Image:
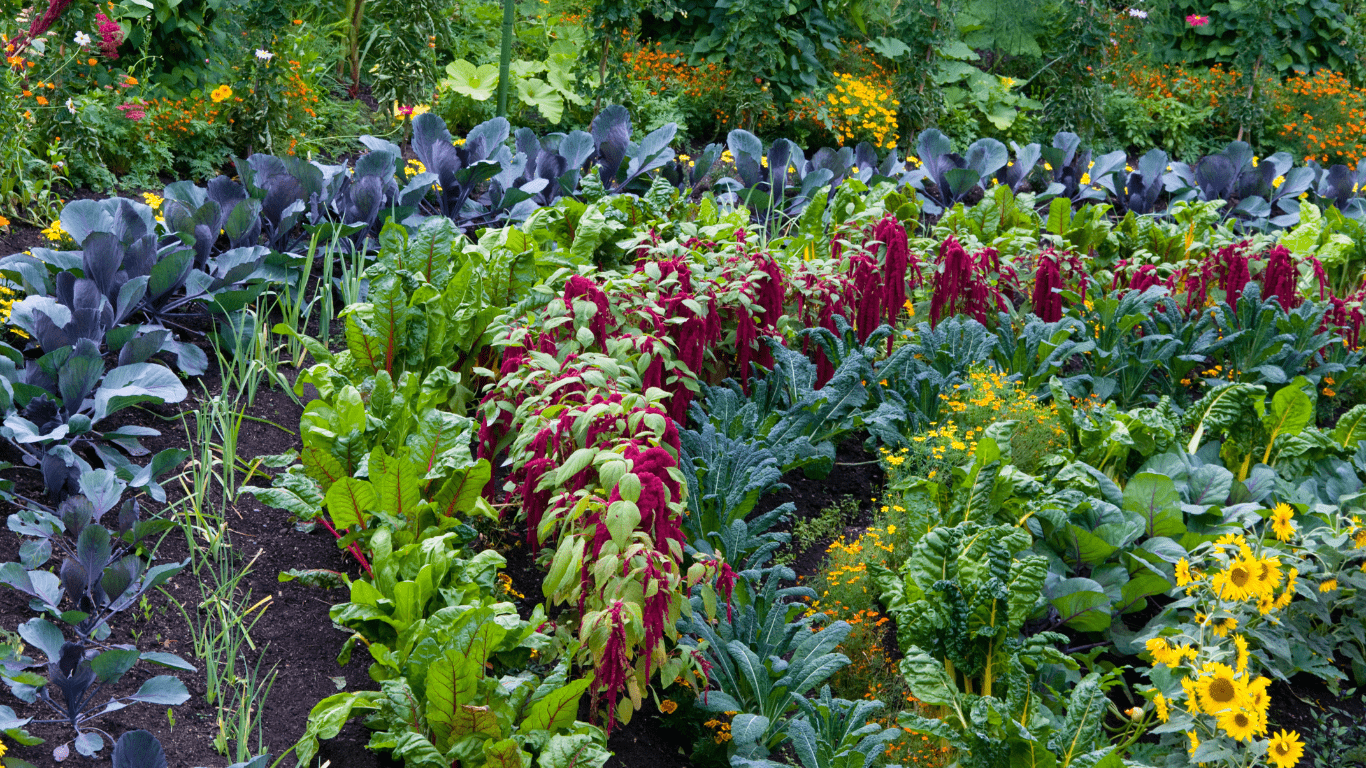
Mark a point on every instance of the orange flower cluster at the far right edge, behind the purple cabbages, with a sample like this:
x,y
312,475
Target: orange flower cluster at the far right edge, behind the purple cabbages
x,y
1322,117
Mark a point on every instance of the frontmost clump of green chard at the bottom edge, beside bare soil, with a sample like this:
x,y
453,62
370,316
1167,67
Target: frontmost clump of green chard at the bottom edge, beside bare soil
x,y
438,635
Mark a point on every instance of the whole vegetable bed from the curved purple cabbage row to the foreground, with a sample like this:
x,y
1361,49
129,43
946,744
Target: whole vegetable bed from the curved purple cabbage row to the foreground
x,y
510,448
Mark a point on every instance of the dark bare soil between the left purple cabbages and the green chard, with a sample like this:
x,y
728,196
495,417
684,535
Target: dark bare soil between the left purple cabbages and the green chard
x,y
296,636
